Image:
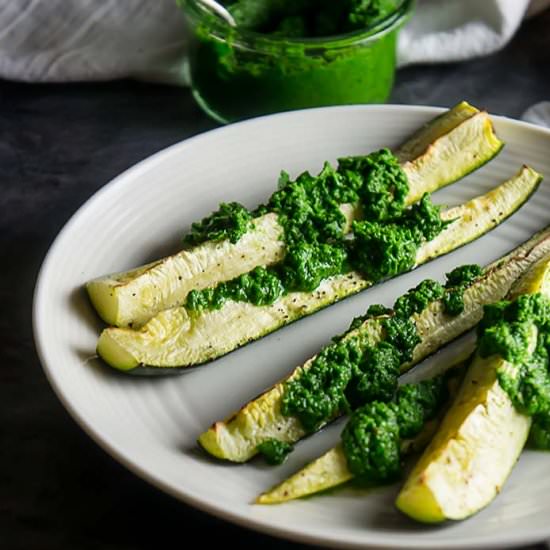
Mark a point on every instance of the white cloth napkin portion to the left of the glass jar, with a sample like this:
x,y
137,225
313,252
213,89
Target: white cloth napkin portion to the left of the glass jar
x,y
68,40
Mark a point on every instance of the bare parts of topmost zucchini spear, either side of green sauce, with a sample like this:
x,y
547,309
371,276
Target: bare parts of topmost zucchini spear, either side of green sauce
x,y
447,149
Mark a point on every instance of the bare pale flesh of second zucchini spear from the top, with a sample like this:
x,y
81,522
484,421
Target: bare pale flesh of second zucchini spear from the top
x,y
176,338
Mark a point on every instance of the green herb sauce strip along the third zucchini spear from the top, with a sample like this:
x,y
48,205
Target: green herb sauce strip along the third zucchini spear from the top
x,y
350,372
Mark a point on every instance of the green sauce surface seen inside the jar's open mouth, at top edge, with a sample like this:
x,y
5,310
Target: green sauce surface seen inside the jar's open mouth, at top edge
x,y
308,18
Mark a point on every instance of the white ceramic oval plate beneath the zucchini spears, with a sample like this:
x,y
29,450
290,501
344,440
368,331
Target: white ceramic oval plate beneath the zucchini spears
x,y
151,424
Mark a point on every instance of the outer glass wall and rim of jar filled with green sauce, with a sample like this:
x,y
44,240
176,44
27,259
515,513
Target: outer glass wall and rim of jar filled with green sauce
x,y
237,74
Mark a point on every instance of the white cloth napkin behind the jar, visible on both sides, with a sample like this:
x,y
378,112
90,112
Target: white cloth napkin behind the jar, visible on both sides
x,y
67,40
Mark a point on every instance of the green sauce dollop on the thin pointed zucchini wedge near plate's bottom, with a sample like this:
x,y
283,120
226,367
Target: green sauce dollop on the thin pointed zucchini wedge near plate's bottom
x,y
372,437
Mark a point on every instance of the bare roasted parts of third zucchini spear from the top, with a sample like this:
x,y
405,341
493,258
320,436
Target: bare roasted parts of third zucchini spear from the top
x,y
236,438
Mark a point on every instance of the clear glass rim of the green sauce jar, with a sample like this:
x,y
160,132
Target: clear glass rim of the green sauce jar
x,y
197,11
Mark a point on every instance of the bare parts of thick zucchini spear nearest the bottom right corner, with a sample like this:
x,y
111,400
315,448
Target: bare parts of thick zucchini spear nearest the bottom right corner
x,y
479,441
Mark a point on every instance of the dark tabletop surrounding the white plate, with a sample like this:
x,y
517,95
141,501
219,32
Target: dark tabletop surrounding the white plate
x,y
58,145
